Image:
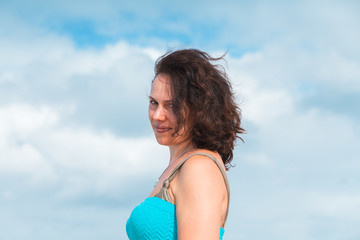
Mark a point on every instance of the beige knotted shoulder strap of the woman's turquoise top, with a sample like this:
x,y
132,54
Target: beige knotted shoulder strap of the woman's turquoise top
x,y
164,194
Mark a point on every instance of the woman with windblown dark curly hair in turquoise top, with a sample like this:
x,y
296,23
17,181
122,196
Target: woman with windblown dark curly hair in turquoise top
x,y
192,111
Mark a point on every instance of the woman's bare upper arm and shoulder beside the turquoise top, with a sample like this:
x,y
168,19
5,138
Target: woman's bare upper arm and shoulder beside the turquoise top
x,y
199,195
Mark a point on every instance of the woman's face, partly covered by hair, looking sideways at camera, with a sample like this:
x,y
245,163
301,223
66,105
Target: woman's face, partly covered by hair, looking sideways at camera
x,y
161,116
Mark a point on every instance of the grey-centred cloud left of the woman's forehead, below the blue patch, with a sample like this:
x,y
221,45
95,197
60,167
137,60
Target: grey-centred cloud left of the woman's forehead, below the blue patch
x,y
93,82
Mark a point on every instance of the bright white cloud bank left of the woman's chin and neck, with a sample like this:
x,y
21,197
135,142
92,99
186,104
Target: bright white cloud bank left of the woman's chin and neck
x,y
35,145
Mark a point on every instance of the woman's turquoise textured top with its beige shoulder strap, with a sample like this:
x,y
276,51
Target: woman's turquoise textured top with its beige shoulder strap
x,y
155,218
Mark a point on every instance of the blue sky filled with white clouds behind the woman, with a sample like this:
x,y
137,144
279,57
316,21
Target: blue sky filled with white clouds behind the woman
x,y
77,153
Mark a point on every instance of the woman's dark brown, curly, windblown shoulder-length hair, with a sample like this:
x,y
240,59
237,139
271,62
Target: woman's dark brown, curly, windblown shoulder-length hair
x,y
203,91
